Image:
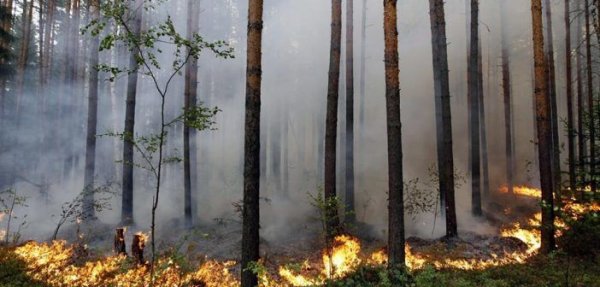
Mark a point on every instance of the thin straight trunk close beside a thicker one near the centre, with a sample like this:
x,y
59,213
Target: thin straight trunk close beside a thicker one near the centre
x,y
349,215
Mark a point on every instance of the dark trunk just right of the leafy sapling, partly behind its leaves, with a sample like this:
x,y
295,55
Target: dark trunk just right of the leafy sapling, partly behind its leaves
x,y
191,95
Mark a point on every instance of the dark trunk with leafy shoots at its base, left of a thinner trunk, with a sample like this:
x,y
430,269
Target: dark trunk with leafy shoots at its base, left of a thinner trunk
x,y
331,118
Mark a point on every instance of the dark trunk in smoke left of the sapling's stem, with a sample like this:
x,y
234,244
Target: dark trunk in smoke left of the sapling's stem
x,y
92,121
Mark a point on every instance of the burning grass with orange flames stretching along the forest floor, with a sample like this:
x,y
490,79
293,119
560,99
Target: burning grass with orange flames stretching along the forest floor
x,y
60,264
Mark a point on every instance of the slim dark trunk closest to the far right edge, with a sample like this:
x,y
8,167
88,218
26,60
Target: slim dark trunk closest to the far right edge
x,y
590,90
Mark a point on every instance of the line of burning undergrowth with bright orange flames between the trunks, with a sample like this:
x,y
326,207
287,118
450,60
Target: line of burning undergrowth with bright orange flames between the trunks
x,y
61,264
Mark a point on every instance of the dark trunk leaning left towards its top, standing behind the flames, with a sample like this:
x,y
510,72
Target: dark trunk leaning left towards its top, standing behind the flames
x,y
443,113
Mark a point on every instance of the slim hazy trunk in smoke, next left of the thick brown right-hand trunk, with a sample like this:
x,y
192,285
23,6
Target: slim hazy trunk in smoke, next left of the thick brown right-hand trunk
x,y
506,88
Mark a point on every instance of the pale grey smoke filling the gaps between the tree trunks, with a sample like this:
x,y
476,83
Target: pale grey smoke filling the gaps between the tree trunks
x,y
48,143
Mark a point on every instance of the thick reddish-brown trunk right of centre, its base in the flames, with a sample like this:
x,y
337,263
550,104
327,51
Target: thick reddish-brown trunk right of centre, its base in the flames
x,y
397,255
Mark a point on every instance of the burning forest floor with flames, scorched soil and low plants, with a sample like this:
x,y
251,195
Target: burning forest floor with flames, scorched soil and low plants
x,y
207,255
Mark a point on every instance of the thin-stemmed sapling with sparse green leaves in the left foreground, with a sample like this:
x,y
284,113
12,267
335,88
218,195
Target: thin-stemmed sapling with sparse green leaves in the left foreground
x,y
147,45
